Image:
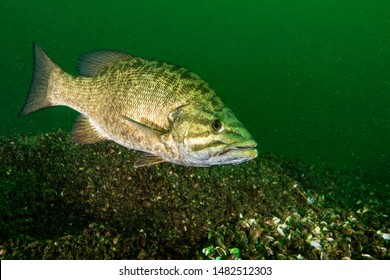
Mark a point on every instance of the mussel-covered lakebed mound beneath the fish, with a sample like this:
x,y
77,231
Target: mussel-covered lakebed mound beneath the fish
x,y
63,201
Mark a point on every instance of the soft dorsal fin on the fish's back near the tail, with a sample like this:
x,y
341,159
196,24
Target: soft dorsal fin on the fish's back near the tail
x,y
90,64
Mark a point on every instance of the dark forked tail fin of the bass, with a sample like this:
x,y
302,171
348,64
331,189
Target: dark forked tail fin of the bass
x,y
40,89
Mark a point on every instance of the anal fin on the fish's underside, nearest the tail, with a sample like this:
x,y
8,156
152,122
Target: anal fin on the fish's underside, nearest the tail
x,y
84,132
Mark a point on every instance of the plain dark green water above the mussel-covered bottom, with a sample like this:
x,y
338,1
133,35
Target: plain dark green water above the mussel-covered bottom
x,y
309,79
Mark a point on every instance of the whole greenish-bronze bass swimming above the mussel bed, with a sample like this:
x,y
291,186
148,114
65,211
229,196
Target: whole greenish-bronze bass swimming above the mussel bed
x,y
160,109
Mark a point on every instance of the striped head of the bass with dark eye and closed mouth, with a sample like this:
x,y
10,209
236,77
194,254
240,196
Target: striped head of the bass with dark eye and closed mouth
x,y
211,135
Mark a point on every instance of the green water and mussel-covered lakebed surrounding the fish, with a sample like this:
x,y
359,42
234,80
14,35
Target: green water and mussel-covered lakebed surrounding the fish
x,y
308,79
